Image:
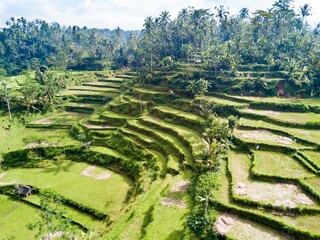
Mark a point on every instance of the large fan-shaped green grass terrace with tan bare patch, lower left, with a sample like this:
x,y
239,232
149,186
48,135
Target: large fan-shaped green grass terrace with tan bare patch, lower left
x,y
65,178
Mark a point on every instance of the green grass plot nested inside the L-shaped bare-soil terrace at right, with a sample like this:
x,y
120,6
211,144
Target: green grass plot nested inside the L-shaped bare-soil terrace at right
x,y
279,164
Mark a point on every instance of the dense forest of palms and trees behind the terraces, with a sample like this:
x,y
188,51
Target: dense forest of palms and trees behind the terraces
x,y
279,36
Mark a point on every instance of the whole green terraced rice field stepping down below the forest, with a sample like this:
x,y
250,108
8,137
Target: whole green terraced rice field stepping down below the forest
x,y
141,156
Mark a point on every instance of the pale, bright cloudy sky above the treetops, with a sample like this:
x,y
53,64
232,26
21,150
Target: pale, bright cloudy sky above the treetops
x,y
126,14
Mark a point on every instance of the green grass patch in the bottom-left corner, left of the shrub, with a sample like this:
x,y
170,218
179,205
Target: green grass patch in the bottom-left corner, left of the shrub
x,y
14,216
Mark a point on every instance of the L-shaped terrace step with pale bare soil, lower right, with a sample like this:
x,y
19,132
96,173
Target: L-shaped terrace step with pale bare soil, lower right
x,y
248,191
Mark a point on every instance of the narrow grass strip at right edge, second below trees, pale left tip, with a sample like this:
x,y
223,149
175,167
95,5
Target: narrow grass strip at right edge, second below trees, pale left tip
x,y
289,117
